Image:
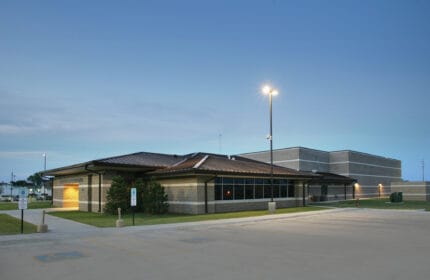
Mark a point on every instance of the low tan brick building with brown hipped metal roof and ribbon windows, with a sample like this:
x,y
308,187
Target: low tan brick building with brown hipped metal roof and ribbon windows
x,y
195,183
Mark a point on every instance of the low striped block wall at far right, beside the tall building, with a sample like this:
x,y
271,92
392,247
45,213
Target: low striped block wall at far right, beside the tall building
x,y
413,191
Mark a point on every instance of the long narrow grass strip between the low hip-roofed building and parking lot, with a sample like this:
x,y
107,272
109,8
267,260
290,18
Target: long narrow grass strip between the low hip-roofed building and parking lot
x,y
106,220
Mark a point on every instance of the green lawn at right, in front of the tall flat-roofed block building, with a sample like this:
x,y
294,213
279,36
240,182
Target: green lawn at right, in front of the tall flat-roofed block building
x,y
383,203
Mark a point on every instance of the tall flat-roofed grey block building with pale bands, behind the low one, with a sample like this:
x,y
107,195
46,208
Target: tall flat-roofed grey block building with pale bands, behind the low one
x,y
373,174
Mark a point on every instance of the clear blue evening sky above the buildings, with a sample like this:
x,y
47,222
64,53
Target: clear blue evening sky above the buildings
x,y
81,80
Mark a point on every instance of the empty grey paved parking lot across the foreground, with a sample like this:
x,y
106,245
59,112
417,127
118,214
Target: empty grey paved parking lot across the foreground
x,y
341,244
